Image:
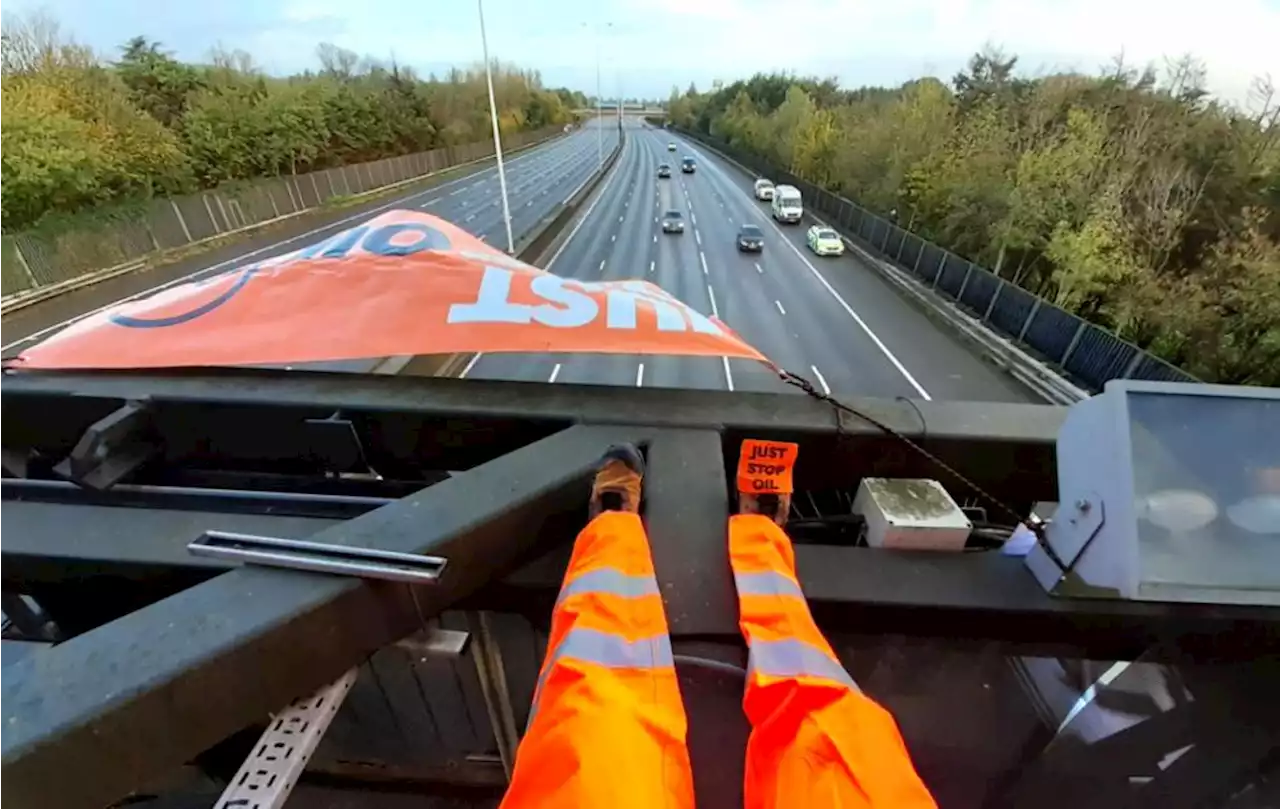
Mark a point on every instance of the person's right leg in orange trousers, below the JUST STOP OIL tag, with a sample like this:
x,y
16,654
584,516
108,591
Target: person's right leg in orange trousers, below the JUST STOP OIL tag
x,y
816,739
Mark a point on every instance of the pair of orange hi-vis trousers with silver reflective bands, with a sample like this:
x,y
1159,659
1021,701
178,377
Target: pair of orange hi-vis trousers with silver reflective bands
x,y
609,728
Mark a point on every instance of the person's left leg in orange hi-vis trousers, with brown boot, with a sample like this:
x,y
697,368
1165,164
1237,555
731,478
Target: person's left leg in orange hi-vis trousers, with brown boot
x,y
607,726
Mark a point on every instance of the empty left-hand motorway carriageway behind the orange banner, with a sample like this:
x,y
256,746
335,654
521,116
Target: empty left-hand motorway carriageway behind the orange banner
x,y
538,180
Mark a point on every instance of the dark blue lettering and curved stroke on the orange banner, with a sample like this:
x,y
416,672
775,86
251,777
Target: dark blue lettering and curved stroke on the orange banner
x,y
378,243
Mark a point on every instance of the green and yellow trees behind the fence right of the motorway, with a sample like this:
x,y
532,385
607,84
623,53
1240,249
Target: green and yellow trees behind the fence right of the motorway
x,y
1131,199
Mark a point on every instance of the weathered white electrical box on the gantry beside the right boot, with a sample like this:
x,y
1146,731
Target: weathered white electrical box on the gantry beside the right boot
x,y
911,515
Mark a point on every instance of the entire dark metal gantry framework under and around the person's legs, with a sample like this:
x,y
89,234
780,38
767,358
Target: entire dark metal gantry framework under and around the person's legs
x,y
147,659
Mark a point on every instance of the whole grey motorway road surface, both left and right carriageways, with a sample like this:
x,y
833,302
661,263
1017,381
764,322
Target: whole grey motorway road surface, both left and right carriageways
x,y
833,321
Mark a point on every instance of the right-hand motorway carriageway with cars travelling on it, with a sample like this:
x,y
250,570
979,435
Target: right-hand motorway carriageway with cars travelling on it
x,y
830,319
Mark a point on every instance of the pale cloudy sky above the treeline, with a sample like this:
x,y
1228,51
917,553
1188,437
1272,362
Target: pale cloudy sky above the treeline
x,y
655,44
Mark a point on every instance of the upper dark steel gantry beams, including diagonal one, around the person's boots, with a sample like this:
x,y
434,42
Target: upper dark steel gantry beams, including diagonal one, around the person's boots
x,y
175,653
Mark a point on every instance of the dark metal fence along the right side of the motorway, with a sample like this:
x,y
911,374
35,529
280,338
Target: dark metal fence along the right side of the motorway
x,y
1085,351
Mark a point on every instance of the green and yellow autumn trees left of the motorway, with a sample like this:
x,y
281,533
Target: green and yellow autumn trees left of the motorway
x,y
77,132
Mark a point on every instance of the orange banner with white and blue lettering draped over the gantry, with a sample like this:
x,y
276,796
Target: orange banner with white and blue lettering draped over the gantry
x,y
403,284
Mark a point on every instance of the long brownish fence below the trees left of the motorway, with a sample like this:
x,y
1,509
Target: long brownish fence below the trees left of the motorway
x,y
54,255
